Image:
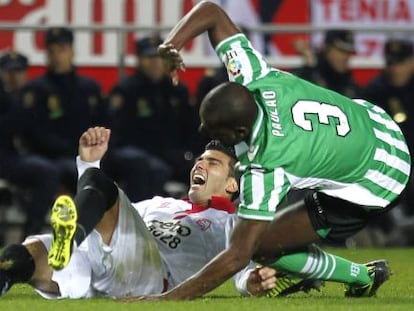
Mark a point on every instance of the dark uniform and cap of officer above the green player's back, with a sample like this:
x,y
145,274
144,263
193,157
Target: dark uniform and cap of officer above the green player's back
x,y
323,74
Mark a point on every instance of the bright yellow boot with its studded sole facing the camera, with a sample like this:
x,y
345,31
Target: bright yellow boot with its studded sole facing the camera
x,y
63,221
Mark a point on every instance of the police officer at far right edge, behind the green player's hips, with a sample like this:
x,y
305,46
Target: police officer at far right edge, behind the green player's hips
x,y
393,90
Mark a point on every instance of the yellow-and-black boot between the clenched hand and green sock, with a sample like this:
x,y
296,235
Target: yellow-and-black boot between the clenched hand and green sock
x,y
286,285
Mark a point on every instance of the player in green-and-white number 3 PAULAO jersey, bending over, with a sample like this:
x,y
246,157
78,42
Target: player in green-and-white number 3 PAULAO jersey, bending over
x,y
291,134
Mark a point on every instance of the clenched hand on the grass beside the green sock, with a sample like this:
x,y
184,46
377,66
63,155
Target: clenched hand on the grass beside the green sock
x,y
261,280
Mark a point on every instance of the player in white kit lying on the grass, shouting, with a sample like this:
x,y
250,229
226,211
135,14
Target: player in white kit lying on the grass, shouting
x,y
135,249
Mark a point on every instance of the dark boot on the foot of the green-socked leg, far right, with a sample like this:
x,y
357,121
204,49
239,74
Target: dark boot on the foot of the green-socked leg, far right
x,y
379,272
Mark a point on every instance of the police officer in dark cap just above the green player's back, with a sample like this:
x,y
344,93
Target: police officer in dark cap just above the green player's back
x,y
330,66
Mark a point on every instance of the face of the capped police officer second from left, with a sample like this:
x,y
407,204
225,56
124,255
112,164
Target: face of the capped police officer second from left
x,y
60,57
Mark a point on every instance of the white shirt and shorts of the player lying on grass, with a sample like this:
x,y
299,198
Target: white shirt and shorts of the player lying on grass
x,y
180,239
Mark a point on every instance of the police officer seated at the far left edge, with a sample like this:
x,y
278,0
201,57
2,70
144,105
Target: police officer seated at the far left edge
x,y
35,181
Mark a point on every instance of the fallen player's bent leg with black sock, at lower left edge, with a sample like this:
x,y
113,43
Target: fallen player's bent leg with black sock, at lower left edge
x,y
26,263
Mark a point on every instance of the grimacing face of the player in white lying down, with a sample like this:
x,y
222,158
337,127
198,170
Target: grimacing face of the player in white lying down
x,y
210,177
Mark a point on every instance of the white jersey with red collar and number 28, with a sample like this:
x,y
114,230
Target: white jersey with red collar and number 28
x,y
188,235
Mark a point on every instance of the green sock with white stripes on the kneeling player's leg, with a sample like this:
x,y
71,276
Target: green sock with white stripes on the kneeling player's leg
x,y
317,264
